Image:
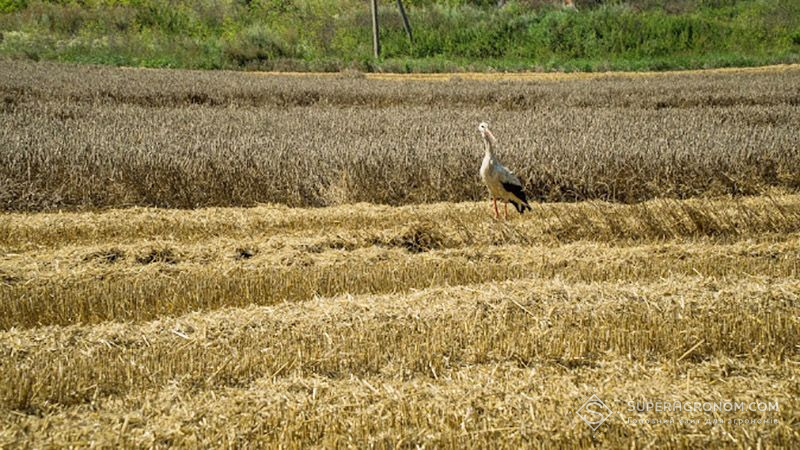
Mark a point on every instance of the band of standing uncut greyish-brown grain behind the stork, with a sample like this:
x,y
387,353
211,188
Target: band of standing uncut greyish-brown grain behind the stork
x,y
99,137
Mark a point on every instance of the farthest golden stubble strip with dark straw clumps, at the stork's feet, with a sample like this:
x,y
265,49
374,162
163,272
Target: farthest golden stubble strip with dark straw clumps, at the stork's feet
x,y
170,270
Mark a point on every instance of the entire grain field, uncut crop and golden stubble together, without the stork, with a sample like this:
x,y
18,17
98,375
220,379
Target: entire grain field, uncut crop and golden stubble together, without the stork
x,y
403,324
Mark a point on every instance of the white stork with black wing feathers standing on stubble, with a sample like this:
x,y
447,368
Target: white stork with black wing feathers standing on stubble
x,y
502,183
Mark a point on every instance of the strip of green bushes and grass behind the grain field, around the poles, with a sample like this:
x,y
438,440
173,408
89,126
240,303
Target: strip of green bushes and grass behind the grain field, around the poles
x,y
450,35
